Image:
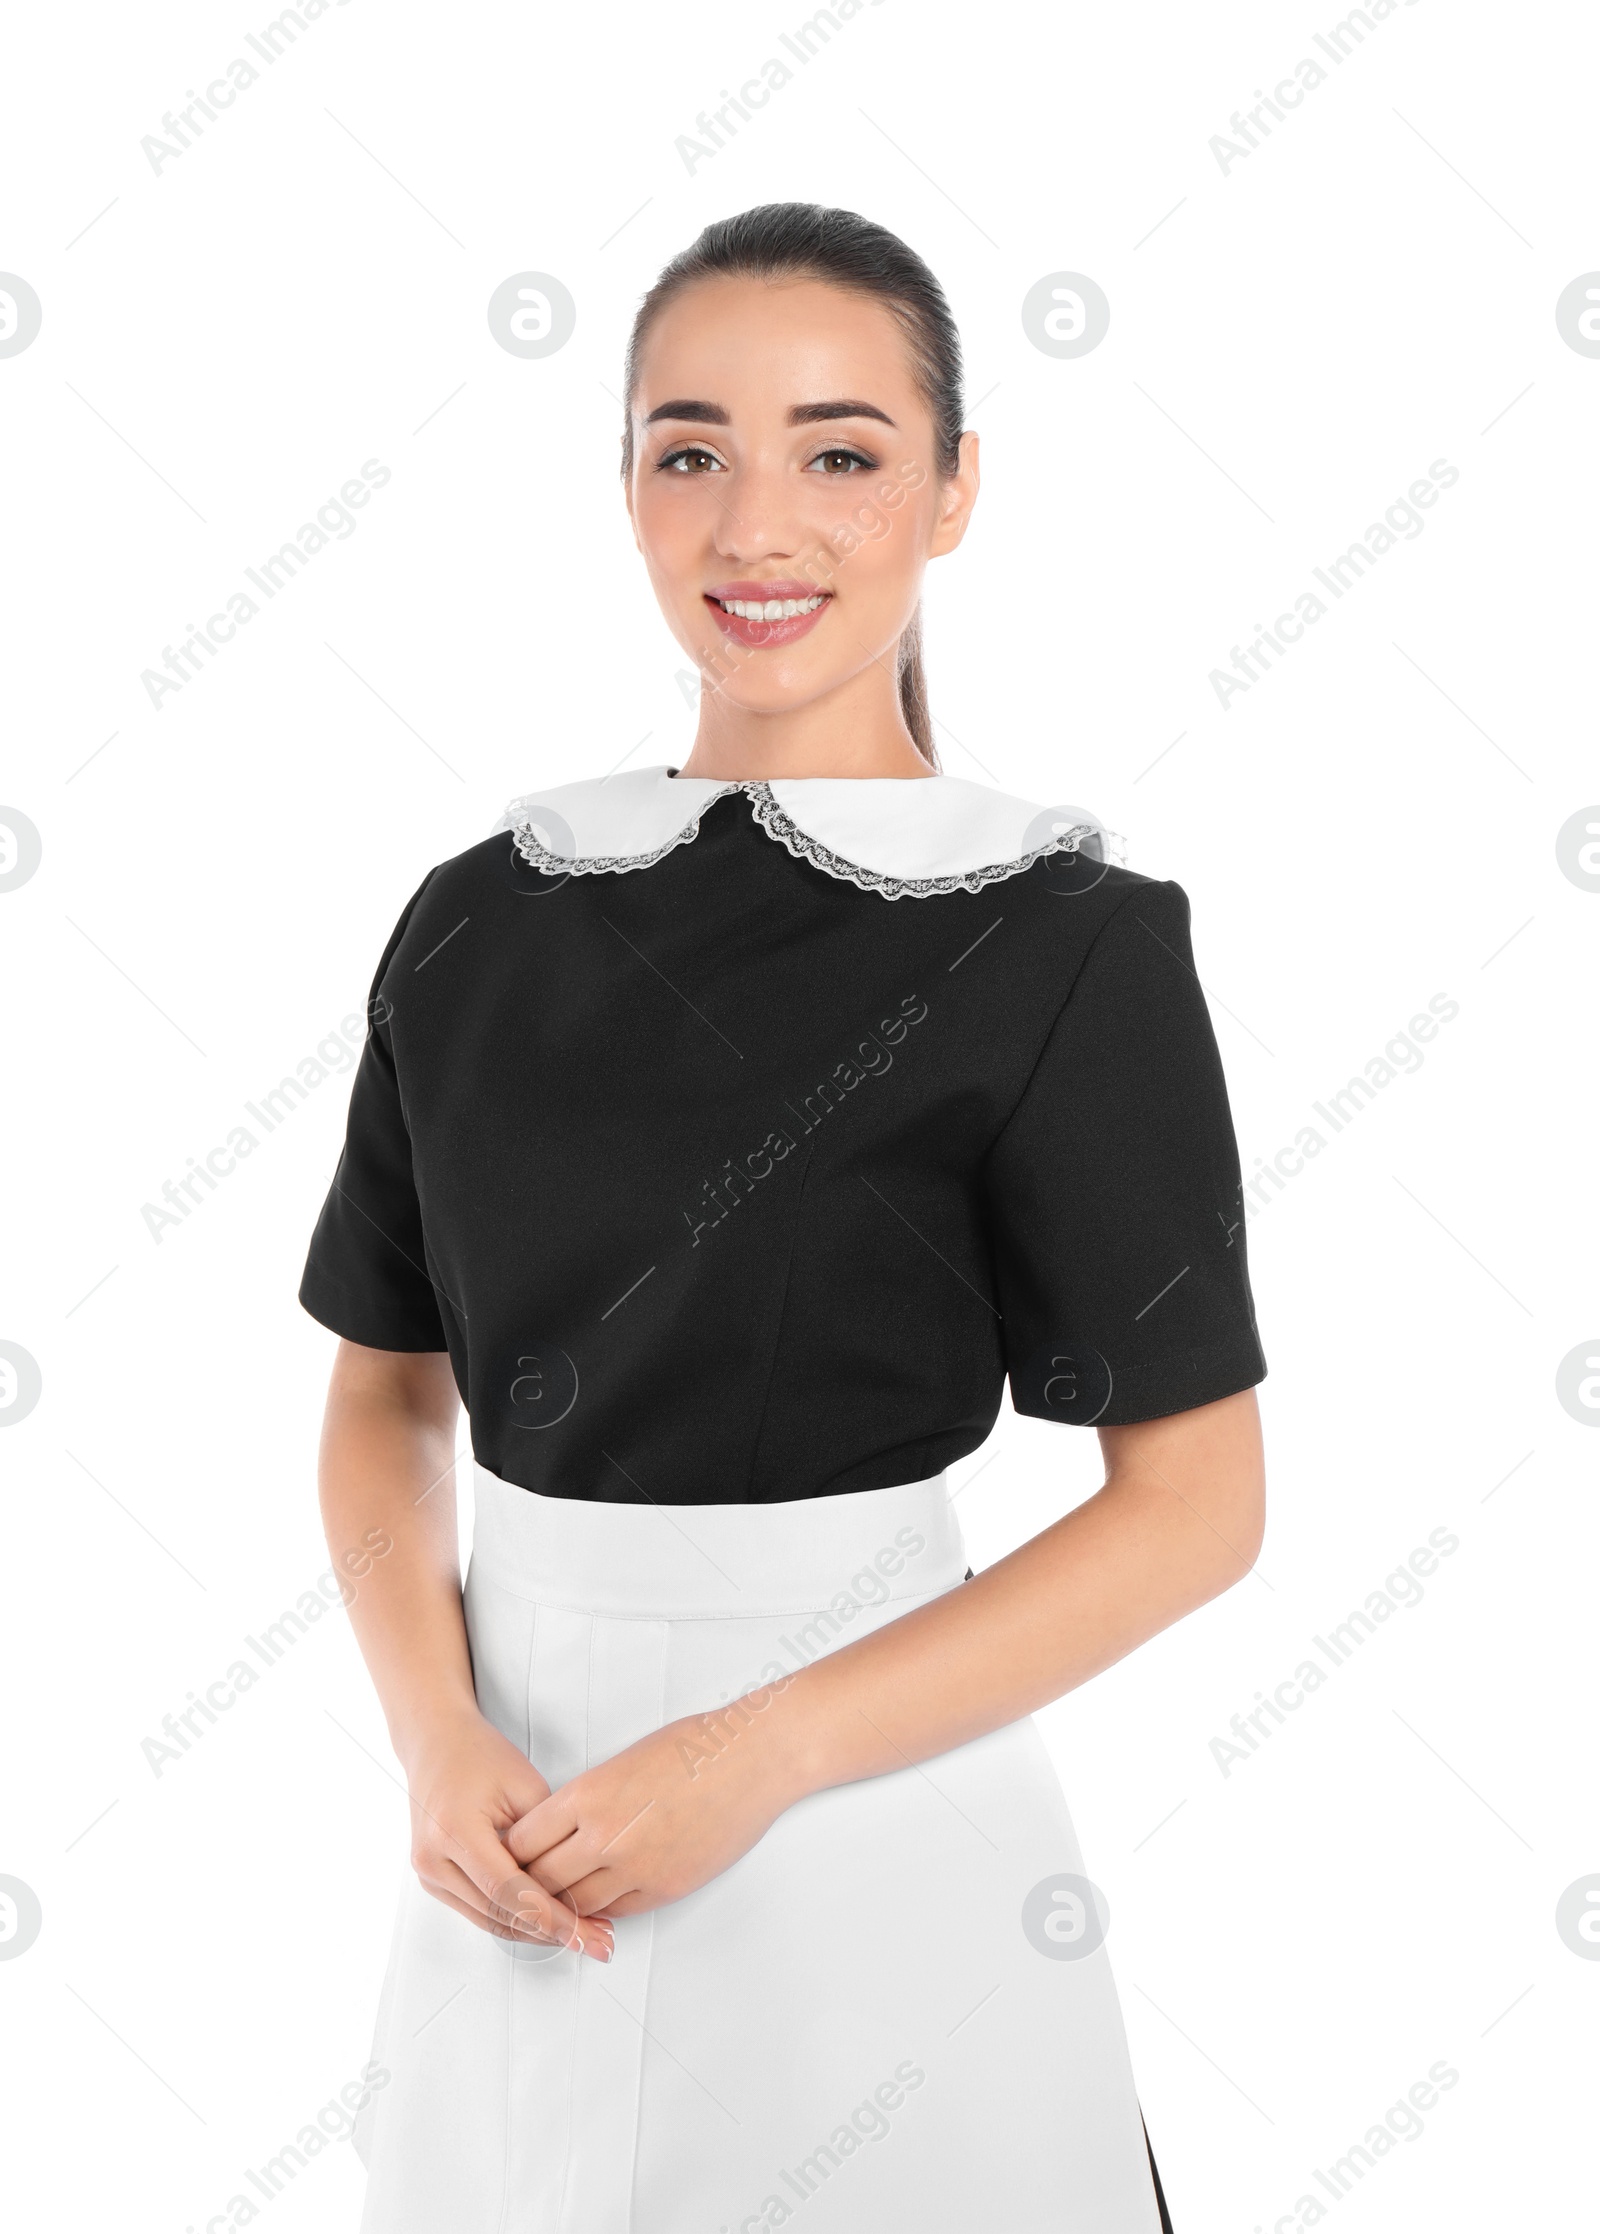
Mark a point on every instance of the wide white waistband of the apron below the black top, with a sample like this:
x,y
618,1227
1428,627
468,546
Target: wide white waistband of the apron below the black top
x,y
676,1563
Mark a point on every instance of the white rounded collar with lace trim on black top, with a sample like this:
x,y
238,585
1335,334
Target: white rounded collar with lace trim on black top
x,y
895,837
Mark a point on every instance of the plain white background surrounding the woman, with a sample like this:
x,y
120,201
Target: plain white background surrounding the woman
x,y
1293,343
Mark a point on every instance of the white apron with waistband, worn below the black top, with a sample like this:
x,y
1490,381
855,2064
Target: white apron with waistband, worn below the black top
x,y
875,2021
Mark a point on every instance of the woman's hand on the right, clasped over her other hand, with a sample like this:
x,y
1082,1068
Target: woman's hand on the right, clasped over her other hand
x,y
658,1820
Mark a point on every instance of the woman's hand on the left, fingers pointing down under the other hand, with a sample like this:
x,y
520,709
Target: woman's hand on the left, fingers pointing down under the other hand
x,y
468,1786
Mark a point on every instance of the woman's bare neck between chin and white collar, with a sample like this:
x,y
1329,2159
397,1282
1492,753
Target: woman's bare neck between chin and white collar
x,y
857,729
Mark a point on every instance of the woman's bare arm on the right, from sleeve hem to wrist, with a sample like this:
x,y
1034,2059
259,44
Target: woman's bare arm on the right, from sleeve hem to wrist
x,y
1177,1522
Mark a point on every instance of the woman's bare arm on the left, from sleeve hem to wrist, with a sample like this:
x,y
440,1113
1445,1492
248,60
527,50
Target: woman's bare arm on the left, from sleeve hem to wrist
x,y
388,1476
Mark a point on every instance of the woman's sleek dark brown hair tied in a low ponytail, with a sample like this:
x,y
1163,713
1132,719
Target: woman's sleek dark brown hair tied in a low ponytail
x,y
801,240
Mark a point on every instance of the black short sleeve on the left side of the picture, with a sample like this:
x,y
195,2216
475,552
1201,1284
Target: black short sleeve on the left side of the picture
x,y
368,1266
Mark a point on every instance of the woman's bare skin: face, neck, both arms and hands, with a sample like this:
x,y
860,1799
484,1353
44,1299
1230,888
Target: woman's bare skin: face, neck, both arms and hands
x,y
752,488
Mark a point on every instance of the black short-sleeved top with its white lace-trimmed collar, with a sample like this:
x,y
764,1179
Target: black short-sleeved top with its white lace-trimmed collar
x,y
745,1185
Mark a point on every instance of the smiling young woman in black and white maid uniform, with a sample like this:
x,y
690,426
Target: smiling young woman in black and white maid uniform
x,y
725,1138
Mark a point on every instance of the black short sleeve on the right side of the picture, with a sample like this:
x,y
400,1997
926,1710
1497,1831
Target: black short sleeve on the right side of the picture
x,y
1114,1194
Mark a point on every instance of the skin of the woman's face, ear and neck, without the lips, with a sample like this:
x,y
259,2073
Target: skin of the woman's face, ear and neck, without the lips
x,y
850,504
